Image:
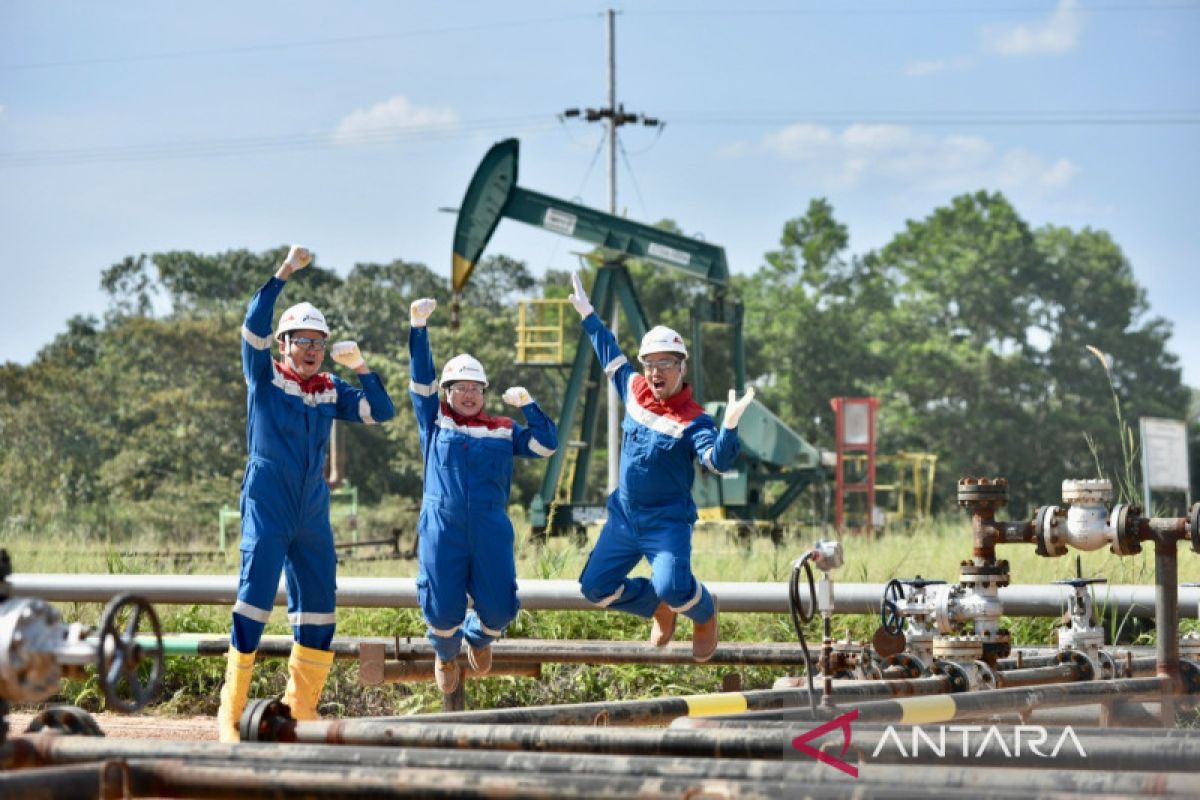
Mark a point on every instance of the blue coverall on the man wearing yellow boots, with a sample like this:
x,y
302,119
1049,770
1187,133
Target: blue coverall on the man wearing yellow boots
x,y
285,500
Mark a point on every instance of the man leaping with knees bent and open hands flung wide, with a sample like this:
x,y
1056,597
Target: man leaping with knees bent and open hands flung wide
x,y
652,513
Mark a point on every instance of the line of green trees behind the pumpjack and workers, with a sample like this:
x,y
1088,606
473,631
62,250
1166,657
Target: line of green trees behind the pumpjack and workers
x,y
1005,351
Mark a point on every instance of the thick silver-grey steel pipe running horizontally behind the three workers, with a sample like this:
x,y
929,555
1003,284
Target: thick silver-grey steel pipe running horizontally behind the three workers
x,y
557,596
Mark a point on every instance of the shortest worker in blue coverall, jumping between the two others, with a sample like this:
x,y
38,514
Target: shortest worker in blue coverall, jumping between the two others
x,y
466,536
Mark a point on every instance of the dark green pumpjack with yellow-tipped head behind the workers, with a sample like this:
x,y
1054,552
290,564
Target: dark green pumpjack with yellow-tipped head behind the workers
x,y
771,452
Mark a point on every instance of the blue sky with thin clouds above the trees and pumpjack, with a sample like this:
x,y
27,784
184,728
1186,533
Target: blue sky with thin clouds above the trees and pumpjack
x,y
137,128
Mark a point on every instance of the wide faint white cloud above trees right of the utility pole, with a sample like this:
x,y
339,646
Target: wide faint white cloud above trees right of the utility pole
x,y
904,157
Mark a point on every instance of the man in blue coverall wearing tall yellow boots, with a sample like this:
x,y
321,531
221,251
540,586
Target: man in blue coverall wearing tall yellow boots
x,y
285,501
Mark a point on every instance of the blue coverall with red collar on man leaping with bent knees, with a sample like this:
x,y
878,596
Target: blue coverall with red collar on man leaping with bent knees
x,y
652,513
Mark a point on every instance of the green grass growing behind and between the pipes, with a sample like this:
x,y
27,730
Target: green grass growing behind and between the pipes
x,y
191,685
